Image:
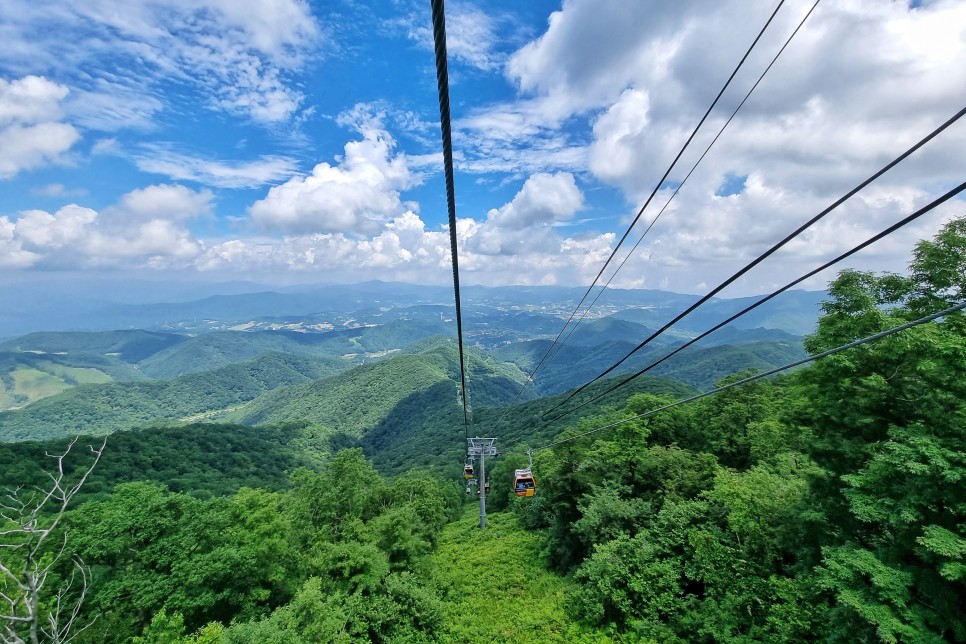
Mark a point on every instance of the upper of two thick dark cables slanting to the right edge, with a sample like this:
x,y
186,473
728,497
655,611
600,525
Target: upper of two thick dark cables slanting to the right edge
x,y
768,253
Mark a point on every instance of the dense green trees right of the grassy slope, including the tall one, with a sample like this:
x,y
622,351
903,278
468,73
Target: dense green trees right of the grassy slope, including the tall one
x,y
828,503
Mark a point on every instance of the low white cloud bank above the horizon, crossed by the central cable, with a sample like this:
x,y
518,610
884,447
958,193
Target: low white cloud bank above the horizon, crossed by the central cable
x,y
515,243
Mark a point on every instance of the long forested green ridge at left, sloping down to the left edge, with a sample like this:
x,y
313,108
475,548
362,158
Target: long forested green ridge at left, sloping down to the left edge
x,y
106,408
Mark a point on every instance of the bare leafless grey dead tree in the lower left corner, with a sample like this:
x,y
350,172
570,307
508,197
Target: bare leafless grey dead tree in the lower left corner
x,y
29,550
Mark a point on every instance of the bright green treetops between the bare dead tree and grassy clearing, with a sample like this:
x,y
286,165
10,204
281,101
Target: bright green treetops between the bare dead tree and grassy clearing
x,y
342,549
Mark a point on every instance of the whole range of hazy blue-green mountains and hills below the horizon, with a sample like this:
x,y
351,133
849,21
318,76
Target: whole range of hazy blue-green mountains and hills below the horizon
x,y
379,370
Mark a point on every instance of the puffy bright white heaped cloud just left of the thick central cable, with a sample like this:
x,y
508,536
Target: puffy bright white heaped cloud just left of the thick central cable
x,y
356,196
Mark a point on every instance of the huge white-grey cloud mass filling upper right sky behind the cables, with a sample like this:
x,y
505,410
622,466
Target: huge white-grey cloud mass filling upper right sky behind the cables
x,y
837,107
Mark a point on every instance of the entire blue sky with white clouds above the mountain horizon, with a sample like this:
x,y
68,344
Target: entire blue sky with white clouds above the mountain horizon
x,y
291,142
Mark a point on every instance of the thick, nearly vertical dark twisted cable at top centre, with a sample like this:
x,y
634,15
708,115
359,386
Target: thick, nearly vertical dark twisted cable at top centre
x,y
442,83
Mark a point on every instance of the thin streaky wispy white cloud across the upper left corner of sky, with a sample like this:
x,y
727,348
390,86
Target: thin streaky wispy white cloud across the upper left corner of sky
x,y
240,55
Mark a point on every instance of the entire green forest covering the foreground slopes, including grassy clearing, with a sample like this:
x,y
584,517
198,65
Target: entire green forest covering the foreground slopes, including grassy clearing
x,y
826,504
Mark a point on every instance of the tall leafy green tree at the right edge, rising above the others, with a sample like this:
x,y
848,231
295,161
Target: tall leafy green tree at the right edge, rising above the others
x,y
888,419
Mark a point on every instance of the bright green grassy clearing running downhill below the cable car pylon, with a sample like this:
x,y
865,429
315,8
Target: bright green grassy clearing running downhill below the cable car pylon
x,y
496,588
